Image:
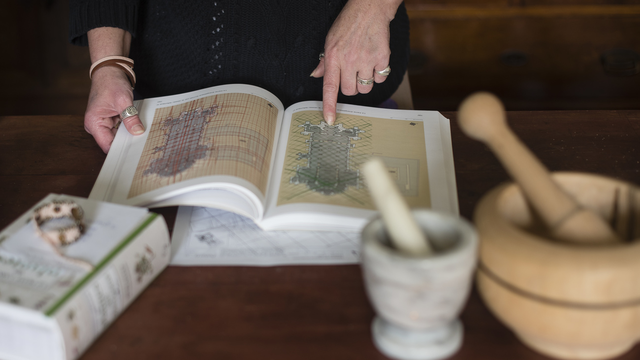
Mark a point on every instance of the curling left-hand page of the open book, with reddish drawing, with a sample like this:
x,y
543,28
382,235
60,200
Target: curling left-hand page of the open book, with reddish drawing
x,y
204,139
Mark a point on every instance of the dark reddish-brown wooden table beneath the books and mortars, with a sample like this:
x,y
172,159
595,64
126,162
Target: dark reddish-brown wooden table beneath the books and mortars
x,y
293,312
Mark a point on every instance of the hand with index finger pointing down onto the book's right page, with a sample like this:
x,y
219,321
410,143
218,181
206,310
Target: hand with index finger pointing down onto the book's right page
x,y
357,44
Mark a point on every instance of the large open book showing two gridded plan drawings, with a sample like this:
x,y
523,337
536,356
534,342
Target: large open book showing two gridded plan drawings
x,y
235,147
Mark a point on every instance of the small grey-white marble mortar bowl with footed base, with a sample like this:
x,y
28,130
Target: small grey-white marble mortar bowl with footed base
x,y
418,298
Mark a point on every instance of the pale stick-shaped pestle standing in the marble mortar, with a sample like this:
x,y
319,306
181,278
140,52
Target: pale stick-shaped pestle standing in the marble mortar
x,y
403,230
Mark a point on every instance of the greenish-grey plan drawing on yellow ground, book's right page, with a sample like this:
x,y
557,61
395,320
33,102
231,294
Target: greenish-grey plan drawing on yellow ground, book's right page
x,y
322,162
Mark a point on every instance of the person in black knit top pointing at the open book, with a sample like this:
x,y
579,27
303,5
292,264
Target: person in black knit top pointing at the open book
x,y
180,46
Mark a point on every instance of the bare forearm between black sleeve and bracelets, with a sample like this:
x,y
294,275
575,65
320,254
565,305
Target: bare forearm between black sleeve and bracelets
x,y
108,41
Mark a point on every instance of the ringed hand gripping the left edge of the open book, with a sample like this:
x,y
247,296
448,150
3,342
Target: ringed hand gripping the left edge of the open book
x,y
110,94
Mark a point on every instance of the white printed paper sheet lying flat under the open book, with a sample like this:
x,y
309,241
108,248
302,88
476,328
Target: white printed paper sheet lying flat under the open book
x,y
207,236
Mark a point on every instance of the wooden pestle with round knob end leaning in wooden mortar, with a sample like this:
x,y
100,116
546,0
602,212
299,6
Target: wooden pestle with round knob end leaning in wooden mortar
x,y
482,117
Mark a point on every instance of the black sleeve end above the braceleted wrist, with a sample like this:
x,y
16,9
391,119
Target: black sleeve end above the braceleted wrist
x,y
85,15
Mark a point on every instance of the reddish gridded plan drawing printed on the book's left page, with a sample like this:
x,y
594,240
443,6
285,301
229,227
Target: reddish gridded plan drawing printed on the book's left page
x,y
225,134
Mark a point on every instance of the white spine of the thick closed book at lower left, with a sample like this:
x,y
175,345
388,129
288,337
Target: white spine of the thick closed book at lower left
x,y
88,311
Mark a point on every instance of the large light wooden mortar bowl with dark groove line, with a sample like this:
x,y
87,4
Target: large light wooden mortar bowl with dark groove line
x,y
565,300
